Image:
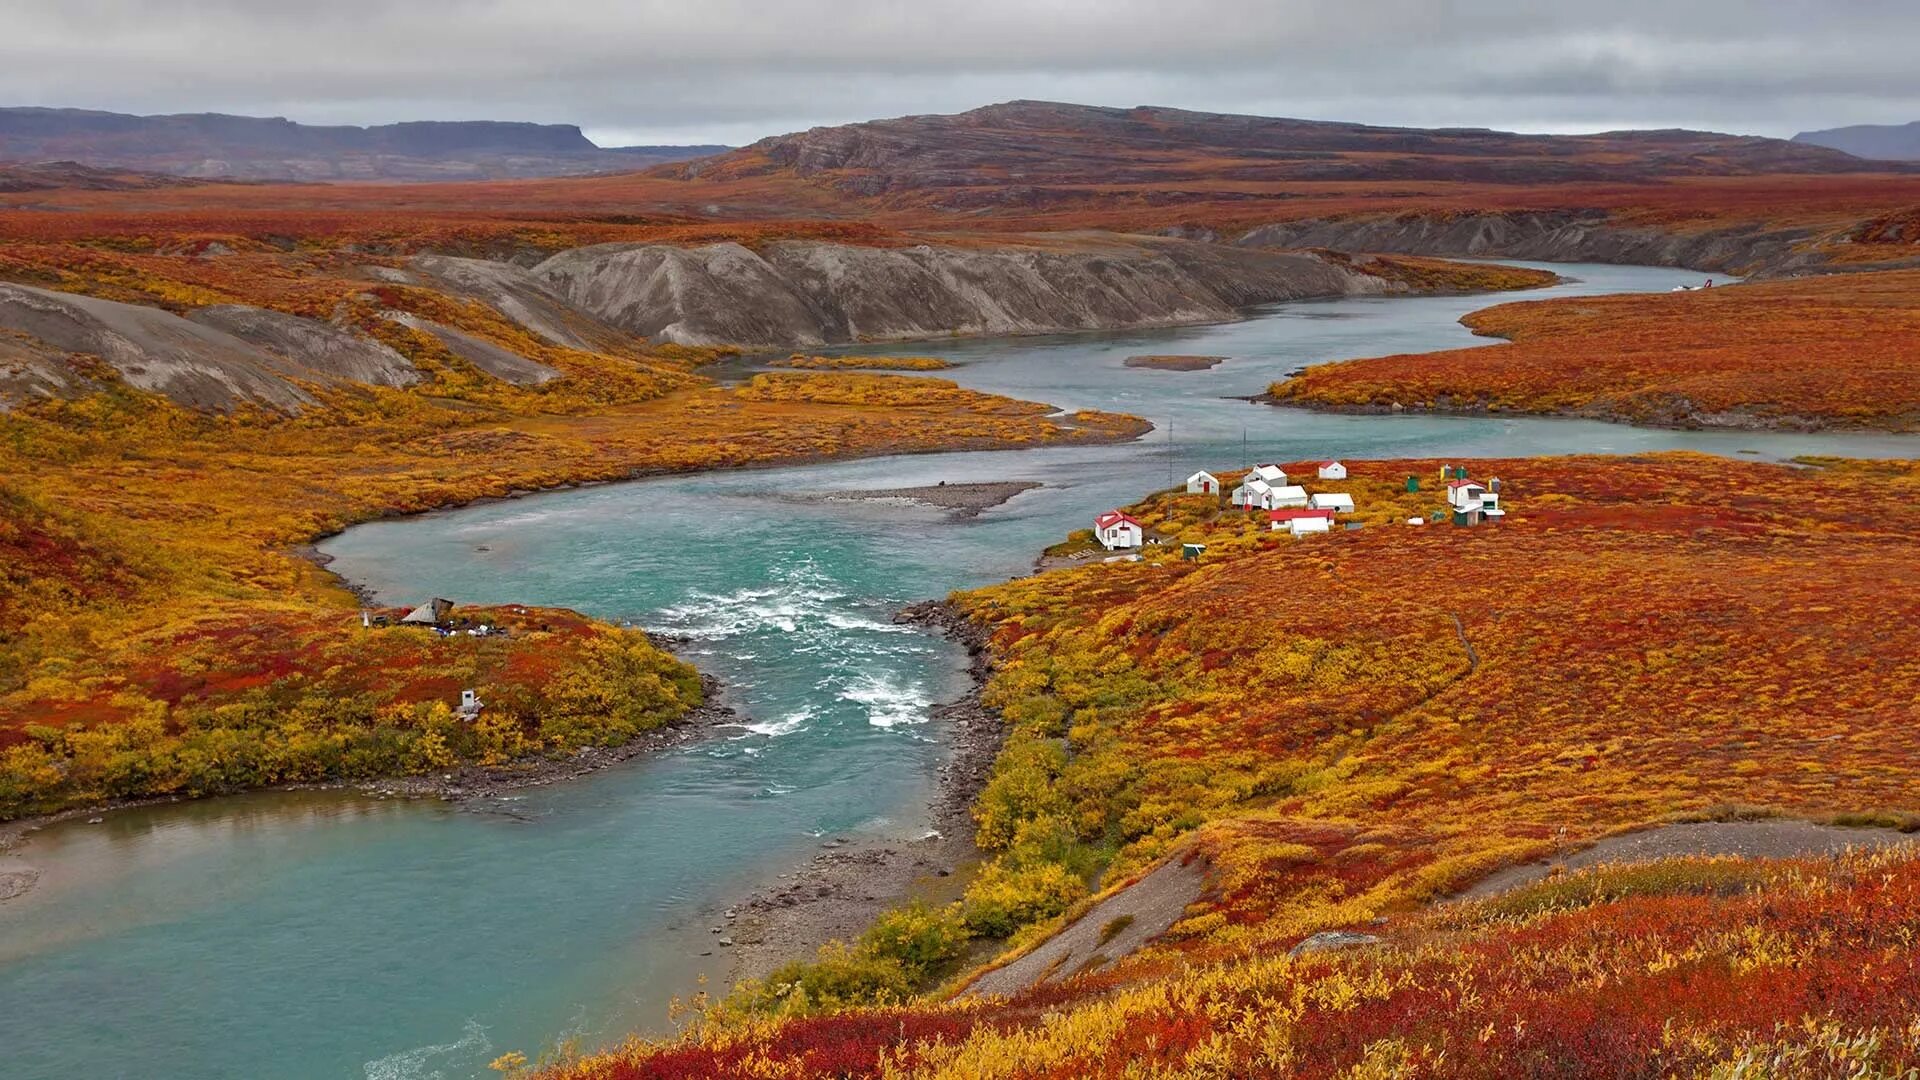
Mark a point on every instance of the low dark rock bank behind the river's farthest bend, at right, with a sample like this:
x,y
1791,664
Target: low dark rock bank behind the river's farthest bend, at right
x,y
1552,237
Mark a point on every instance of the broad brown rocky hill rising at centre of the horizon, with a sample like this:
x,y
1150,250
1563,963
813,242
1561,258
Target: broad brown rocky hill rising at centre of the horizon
x,y
999,151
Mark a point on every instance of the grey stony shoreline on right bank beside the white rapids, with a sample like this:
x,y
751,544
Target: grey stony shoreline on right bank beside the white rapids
x,y
848,885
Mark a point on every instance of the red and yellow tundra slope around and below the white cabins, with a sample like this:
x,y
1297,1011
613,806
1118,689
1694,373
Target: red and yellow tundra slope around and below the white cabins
x,y
1347,729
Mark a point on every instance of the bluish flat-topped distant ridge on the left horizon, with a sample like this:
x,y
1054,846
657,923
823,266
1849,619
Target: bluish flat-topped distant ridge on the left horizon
x,y
274,149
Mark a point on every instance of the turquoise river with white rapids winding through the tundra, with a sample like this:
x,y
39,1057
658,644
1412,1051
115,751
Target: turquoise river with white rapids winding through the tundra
x,y
347,937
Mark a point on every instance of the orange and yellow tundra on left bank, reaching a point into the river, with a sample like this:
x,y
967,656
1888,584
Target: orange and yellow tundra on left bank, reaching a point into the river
x,y
162,637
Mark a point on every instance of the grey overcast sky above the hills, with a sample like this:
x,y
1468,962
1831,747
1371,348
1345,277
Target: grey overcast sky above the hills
x,y
738,70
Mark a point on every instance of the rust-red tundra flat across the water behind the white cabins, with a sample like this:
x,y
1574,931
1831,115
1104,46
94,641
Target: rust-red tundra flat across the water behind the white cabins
x,y
1808,355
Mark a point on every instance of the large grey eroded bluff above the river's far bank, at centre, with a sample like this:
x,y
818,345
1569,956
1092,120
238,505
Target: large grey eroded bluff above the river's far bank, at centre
x,y
804,293
